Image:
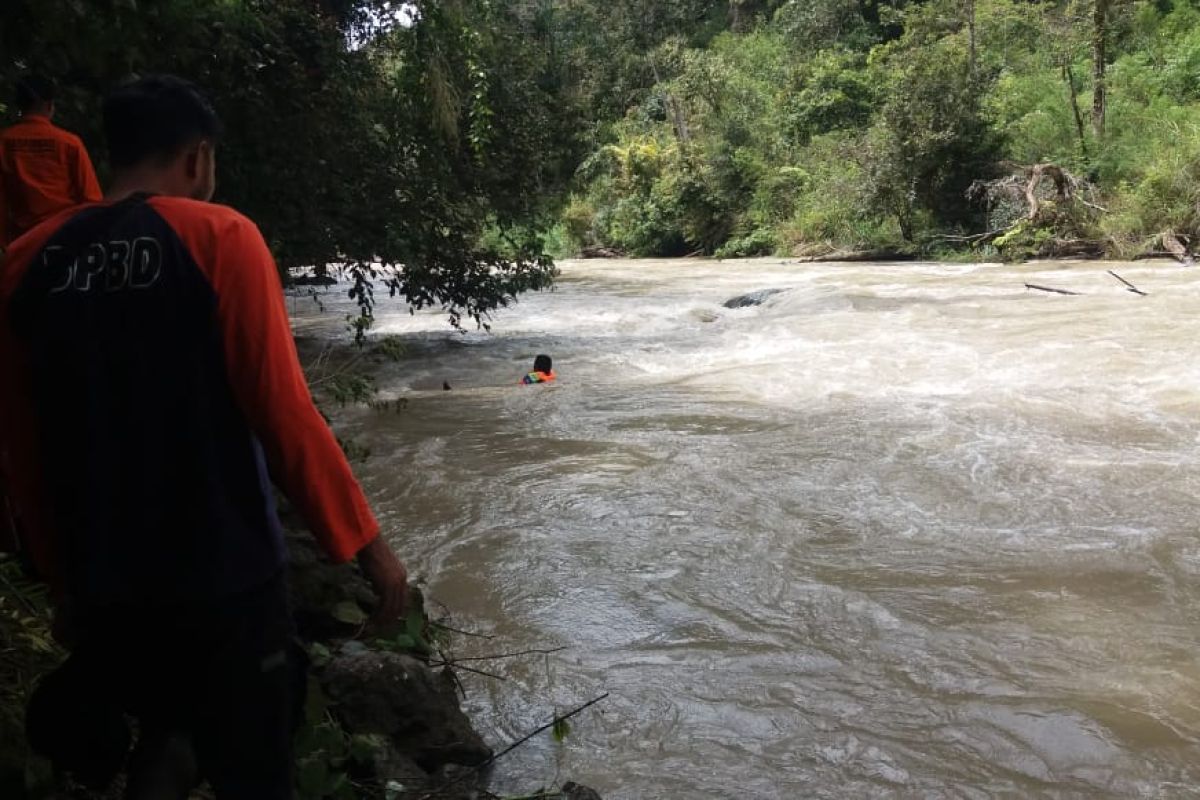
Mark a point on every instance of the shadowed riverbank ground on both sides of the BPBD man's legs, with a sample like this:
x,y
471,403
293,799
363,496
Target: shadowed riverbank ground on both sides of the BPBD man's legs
x,y
382,717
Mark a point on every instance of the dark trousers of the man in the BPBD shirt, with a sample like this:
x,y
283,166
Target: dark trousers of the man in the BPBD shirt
x,y
224,681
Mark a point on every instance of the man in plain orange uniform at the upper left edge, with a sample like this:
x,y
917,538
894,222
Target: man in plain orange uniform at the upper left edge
x,y
44,170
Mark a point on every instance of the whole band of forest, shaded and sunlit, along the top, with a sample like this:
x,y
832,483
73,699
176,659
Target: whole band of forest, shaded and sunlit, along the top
x,y
467,141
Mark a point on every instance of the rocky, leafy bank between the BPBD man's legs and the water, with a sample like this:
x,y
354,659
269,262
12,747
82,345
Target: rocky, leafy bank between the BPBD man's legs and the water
x,y
383,719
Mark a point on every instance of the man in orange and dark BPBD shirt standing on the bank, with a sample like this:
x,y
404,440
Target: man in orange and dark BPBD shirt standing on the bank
x,y
152,394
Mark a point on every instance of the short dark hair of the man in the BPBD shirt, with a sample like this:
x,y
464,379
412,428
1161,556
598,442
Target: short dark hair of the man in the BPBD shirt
x,y
155,118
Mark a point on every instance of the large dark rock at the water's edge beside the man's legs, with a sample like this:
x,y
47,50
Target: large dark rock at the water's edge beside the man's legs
x,y
399,697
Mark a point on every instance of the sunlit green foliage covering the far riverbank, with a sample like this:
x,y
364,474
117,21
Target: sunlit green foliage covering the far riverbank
x,y
813,125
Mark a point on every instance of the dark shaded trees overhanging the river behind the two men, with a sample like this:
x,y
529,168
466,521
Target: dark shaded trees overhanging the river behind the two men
x,y
379,136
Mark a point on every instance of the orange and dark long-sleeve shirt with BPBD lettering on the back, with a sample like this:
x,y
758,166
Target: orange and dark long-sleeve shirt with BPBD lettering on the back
x,y
152,392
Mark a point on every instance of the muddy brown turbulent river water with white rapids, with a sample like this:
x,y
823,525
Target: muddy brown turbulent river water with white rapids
x,y
903,531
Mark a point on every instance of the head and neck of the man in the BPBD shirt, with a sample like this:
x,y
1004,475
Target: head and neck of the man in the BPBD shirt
x,y
163,136
